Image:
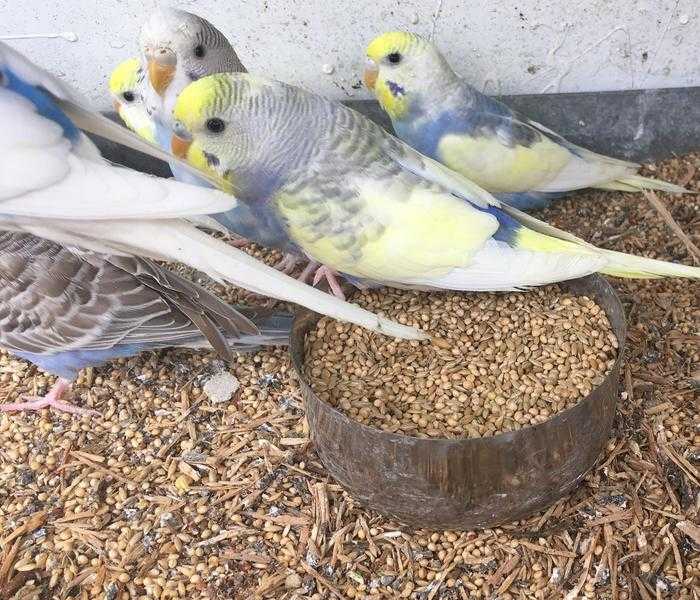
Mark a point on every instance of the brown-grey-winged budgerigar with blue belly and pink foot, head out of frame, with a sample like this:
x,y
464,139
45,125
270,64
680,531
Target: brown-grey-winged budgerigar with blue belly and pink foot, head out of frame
x,y
65,310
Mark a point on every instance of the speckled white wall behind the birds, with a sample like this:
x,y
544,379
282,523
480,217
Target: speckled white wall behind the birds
x,y
516,46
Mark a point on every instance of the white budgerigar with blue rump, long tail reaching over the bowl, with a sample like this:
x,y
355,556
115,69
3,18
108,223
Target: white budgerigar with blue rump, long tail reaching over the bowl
x,y
55,185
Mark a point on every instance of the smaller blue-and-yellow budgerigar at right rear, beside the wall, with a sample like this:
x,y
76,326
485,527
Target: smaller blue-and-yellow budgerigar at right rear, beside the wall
x,y
438,113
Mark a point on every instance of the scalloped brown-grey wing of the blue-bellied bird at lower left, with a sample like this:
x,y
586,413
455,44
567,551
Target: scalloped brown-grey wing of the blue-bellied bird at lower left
x,y
53,298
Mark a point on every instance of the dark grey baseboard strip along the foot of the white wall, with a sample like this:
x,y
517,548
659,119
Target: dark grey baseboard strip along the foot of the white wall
x,y
640,125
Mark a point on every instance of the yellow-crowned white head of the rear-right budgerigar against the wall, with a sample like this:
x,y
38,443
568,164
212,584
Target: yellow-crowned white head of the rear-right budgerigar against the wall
x,y
401,67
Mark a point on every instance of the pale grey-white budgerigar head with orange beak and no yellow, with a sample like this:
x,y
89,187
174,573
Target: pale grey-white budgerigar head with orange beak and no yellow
x,y
180,47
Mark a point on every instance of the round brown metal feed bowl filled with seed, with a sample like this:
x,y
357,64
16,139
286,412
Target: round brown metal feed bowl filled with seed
x,y
466,483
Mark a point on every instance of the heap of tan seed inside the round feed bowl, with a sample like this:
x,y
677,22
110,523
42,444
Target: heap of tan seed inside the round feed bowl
x,y
497,362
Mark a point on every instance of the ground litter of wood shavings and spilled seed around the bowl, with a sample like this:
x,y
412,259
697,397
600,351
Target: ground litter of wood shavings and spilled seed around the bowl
x,y
169,495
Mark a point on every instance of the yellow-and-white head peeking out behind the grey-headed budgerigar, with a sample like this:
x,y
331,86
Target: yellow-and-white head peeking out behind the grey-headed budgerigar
x,y
126,88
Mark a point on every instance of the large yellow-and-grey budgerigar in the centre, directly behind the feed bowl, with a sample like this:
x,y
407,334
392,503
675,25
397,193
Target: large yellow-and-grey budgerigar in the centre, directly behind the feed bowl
x,y
366,204
